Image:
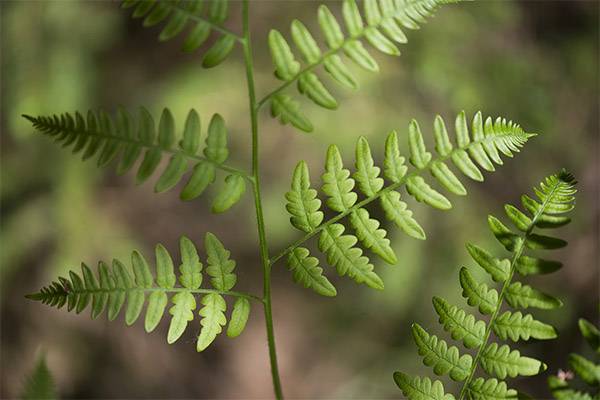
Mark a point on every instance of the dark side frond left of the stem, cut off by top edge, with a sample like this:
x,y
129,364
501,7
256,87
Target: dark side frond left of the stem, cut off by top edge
x,y
184,13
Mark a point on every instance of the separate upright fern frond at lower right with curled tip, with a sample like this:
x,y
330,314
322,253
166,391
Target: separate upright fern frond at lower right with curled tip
x,y
555,196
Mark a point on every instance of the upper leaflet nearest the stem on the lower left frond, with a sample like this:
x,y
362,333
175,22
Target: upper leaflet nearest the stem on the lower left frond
x,y
220,266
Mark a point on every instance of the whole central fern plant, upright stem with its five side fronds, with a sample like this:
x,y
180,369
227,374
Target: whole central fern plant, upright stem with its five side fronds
x,y
350,232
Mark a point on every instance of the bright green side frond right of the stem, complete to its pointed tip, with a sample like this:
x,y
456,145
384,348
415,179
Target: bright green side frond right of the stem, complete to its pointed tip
x,y
483,144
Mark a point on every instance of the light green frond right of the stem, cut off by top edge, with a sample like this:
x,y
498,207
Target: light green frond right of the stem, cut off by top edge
x,y
381,25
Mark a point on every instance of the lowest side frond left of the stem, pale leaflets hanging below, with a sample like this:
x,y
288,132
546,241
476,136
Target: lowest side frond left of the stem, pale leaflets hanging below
x,y
116,285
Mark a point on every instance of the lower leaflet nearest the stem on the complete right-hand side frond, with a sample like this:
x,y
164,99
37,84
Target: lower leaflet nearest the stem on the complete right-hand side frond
x,y
306,272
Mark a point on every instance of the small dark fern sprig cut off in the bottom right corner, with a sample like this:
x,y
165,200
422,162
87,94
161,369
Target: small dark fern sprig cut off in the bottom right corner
x,y
580,367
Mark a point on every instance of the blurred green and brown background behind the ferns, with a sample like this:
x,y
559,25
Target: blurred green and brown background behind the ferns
x,y
535,62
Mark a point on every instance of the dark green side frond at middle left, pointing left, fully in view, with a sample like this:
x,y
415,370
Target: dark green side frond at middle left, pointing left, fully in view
x,y
98,135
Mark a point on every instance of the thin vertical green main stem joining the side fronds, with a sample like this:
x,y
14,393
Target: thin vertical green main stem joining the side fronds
x,y
264,254
